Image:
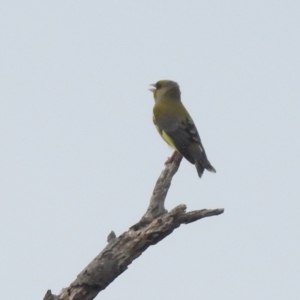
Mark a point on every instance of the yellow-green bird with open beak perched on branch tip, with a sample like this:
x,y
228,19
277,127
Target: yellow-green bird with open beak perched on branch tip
x,y
176,126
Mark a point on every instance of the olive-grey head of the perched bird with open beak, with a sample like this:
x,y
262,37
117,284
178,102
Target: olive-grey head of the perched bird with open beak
x,y
165,89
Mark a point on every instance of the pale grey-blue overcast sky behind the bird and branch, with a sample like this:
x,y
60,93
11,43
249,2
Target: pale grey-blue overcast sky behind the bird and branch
x,y
80,155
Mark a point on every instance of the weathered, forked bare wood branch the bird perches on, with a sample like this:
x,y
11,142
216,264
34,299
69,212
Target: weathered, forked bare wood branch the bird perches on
x,y
115,258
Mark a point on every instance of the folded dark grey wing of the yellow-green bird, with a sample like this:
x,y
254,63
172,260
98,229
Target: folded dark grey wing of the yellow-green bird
x,y
182,134
